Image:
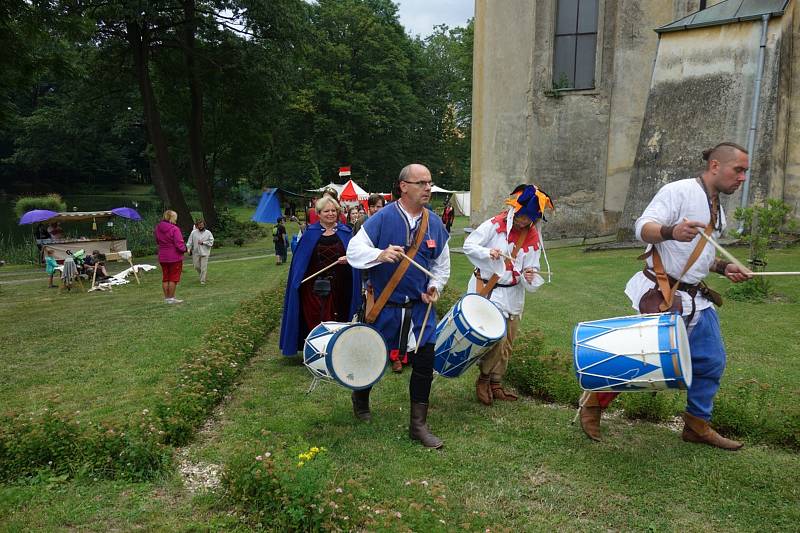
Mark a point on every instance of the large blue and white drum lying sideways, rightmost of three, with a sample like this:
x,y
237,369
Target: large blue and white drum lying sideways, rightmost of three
x,y
633,353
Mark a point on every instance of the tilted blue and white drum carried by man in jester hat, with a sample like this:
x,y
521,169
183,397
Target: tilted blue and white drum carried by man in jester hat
x,y
465,333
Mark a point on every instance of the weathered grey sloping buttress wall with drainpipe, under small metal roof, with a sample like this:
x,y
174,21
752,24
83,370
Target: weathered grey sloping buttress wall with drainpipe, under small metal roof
x,y
701,93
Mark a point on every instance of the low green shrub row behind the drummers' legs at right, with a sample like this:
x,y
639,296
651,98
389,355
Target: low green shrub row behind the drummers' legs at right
x,y
745,408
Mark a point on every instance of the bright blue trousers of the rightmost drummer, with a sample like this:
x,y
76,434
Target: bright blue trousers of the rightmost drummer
x,y
708,364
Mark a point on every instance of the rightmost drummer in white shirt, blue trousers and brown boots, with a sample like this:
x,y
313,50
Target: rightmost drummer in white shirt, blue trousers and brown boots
x,y
671,225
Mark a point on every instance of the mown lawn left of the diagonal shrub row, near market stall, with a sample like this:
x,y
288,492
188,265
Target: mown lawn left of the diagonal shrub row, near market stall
x,y
107,354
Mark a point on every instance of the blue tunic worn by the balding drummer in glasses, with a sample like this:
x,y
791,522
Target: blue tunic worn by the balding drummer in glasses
x,y
390,227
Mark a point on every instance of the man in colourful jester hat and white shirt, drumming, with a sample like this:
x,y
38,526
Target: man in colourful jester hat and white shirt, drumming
x,y
505,251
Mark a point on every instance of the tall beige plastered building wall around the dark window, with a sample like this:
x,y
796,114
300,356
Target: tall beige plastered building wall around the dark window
x,y
579,146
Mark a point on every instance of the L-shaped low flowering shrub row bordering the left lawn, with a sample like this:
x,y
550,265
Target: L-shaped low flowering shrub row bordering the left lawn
x,y
65,444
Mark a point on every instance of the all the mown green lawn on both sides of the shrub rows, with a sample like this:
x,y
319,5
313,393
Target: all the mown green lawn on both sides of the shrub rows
x,y
513,467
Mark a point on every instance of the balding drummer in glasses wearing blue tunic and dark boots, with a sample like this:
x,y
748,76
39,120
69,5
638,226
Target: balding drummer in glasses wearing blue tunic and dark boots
x,y
403,293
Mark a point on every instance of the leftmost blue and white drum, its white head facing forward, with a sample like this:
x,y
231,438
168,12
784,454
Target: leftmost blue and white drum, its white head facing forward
x,y
352,355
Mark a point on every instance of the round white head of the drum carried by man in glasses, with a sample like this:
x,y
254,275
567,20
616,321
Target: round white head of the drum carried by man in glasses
x,y
357,356
